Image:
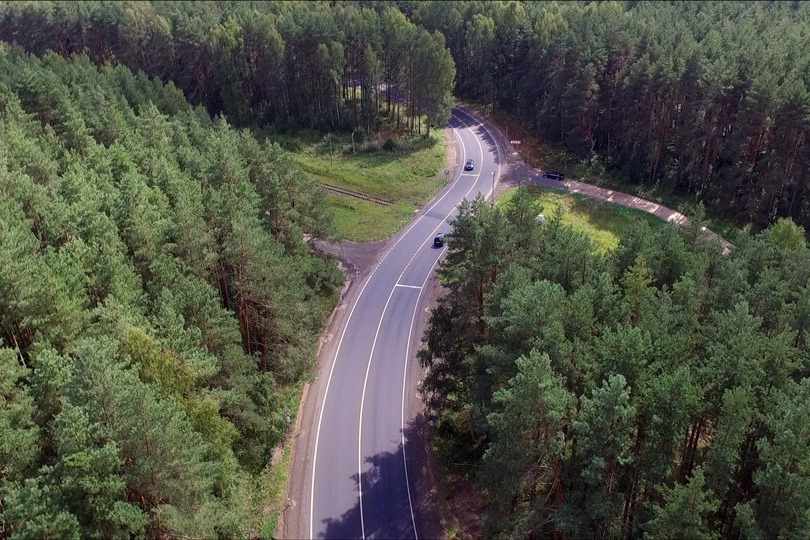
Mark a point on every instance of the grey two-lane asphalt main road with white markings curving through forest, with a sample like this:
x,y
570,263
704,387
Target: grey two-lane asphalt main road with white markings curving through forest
x,y
358,468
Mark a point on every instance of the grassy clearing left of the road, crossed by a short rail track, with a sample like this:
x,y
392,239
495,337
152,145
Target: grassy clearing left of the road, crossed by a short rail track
x,y
405,170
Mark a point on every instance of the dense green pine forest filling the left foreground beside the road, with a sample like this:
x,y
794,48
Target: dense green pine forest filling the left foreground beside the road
x,y
156,298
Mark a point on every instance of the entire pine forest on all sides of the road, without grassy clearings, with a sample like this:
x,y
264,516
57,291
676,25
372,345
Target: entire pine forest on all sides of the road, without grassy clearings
x,y
161,307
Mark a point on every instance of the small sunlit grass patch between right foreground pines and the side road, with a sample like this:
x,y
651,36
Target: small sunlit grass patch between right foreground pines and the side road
x,y
605,223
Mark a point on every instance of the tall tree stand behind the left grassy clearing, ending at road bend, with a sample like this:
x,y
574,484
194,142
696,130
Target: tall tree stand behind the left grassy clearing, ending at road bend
x,y
324,65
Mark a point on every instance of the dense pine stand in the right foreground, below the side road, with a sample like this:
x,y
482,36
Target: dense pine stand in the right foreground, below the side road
x,y
659,390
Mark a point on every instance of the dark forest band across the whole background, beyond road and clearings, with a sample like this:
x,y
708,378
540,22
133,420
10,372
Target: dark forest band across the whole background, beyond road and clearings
x,y
708,99
